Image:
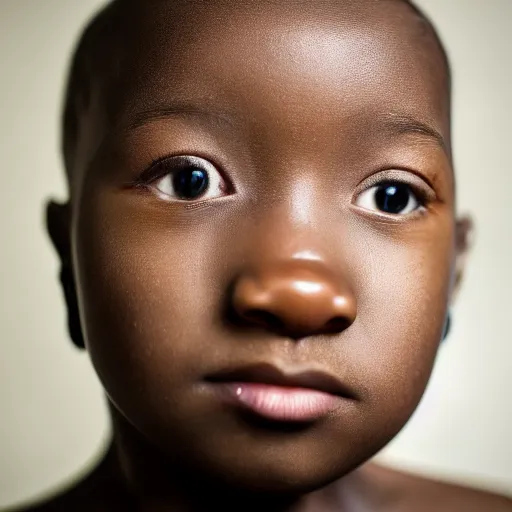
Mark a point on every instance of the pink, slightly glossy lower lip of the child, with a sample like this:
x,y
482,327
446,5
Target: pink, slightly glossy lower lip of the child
x,y
280,403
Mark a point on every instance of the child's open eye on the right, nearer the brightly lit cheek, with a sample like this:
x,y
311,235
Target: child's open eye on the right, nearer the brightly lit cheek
x,y
391,197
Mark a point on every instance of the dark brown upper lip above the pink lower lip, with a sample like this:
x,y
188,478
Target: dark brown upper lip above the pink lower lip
x,y
265,373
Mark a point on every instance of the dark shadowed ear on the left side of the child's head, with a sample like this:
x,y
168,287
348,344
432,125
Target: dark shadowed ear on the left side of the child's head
x,y
58,224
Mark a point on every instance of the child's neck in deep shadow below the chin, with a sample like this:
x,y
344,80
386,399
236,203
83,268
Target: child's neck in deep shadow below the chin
x,y
156,484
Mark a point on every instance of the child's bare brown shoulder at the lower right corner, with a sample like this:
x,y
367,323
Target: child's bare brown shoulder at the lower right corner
x,y
424,494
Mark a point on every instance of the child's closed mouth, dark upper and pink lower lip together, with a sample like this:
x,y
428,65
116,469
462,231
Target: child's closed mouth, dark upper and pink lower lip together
x,y
268,392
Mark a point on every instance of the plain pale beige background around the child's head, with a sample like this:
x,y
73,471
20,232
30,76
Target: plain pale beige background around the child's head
x,y
53,420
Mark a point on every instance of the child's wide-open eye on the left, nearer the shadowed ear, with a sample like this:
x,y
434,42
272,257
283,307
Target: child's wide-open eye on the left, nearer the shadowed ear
x,y
186,178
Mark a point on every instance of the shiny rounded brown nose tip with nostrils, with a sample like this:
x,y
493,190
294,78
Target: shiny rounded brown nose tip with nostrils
x,y
297,298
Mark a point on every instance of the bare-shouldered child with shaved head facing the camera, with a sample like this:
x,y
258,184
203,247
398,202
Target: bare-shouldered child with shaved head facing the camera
x,y
259,250
